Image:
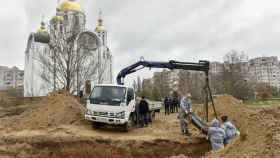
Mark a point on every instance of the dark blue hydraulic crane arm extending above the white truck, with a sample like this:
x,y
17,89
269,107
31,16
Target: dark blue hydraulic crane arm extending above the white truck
x,y
200,66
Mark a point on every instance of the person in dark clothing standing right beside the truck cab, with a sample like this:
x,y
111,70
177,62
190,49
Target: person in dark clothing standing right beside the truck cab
x,y
144,111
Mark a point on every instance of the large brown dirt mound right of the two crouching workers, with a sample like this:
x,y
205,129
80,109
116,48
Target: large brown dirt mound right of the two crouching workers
x,y
260,130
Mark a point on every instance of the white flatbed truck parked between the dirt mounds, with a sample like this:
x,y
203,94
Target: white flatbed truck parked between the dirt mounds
x,y
115,105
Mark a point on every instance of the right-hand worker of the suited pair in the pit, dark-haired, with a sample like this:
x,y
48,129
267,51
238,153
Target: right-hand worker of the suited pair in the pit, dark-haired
x,y
230,130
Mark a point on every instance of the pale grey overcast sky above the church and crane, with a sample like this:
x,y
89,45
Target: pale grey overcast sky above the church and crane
x,y
185,30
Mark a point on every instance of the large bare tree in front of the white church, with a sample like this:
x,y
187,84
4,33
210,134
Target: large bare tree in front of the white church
x,y
73,57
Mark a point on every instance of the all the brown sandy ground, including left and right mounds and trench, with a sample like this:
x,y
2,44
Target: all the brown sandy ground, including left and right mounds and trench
x,y
55,128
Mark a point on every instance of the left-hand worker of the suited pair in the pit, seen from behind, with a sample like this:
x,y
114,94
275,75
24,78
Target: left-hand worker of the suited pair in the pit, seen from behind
x,y
216,134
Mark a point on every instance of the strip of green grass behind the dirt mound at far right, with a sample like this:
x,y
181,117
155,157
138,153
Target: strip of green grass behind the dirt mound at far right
x,y
264,103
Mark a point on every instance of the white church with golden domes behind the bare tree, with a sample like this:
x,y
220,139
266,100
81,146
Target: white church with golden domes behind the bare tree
x,y
45,49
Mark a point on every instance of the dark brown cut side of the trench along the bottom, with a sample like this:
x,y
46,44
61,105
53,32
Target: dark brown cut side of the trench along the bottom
x,y
71,147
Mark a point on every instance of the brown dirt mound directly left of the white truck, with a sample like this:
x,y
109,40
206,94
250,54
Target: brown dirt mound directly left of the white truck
x,y
59,108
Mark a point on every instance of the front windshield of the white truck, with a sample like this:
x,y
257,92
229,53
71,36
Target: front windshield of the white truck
x,y
107,95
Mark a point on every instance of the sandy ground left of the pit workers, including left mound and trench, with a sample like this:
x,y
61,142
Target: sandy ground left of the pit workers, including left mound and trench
x,y
55,128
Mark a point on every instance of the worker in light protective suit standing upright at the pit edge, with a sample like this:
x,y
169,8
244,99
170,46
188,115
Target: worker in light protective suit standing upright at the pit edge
x,y
185,115
